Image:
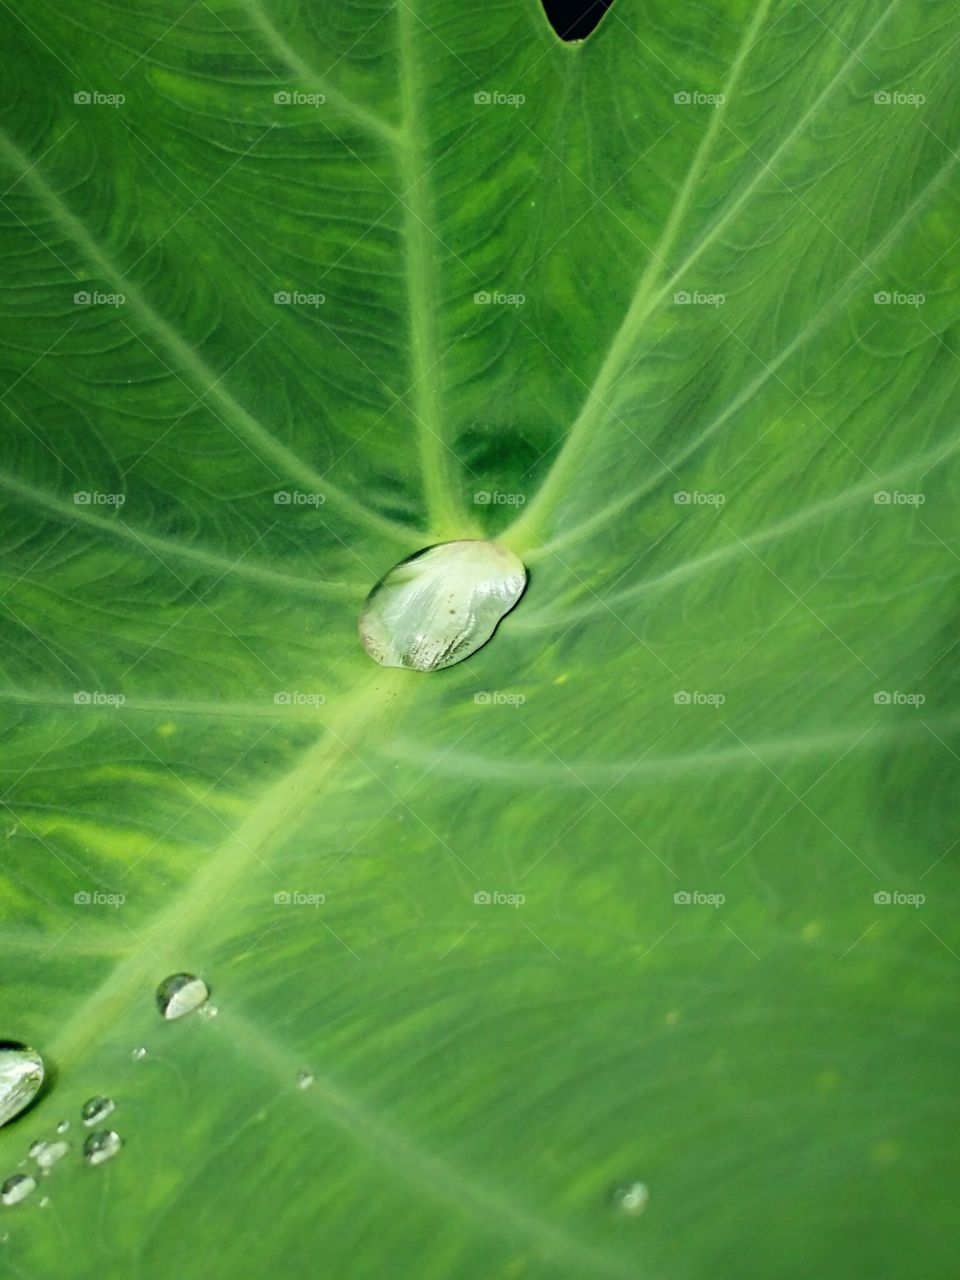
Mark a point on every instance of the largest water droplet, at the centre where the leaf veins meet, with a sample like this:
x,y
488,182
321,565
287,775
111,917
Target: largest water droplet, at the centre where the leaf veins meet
x,y
442,605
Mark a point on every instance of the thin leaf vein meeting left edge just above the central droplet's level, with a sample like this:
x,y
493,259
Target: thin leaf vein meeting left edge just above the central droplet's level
x,y
236,568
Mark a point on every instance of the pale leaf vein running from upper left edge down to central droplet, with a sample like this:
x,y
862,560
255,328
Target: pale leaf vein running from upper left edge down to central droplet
x,y
196,372
